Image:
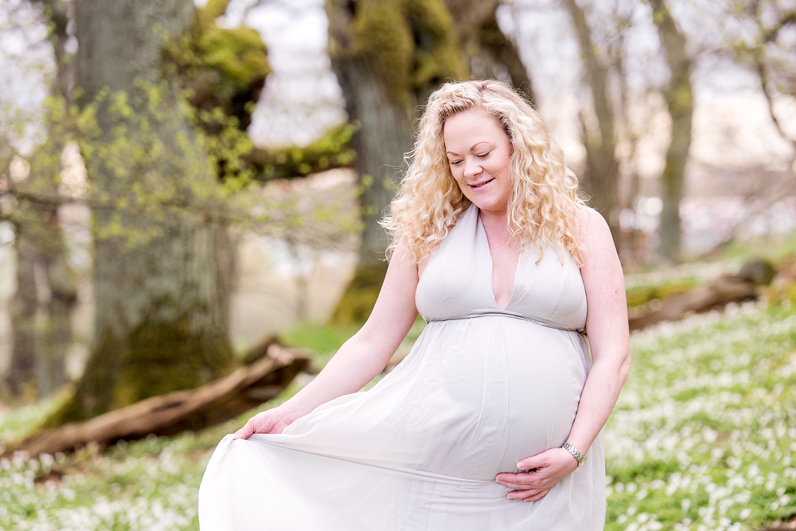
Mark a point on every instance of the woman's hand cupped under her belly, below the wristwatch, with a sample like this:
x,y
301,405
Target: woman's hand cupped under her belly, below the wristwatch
x,y
544,471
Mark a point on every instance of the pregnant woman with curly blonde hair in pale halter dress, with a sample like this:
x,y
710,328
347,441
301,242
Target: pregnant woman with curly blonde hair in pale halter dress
x,y
492,422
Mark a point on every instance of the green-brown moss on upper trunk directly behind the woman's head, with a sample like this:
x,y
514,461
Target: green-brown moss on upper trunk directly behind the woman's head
x,y
410,45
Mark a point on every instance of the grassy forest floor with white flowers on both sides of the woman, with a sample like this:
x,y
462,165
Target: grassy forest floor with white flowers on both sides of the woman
x,y
703,438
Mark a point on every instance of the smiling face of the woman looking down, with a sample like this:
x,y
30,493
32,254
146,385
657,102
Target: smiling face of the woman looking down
x,y
478,154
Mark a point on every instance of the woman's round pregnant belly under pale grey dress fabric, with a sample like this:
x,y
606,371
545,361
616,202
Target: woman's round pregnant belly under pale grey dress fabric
x,y
510,387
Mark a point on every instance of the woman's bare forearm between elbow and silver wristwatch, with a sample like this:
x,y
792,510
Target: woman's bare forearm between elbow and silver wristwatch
x,y
599,396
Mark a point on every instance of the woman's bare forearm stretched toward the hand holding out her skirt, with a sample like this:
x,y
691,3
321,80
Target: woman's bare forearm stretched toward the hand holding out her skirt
x,y
353,366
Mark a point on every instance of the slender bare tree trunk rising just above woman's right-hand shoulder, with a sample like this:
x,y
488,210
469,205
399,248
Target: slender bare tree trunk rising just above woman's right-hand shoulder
x,y
601,175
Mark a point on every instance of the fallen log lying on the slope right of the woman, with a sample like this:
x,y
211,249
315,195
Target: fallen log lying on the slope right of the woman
x,y
726,289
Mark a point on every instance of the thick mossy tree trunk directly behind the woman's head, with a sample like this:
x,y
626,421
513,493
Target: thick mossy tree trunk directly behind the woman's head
x,y
388,56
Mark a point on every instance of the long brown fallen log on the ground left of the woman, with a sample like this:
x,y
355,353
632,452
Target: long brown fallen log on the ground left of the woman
x,y
172,413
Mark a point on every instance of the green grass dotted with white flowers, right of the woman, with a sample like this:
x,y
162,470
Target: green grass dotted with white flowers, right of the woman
x,y
704,432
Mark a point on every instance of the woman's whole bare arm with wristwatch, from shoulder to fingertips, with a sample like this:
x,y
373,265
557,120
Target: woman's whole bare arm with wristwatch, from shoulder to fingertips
x,y
606,325
